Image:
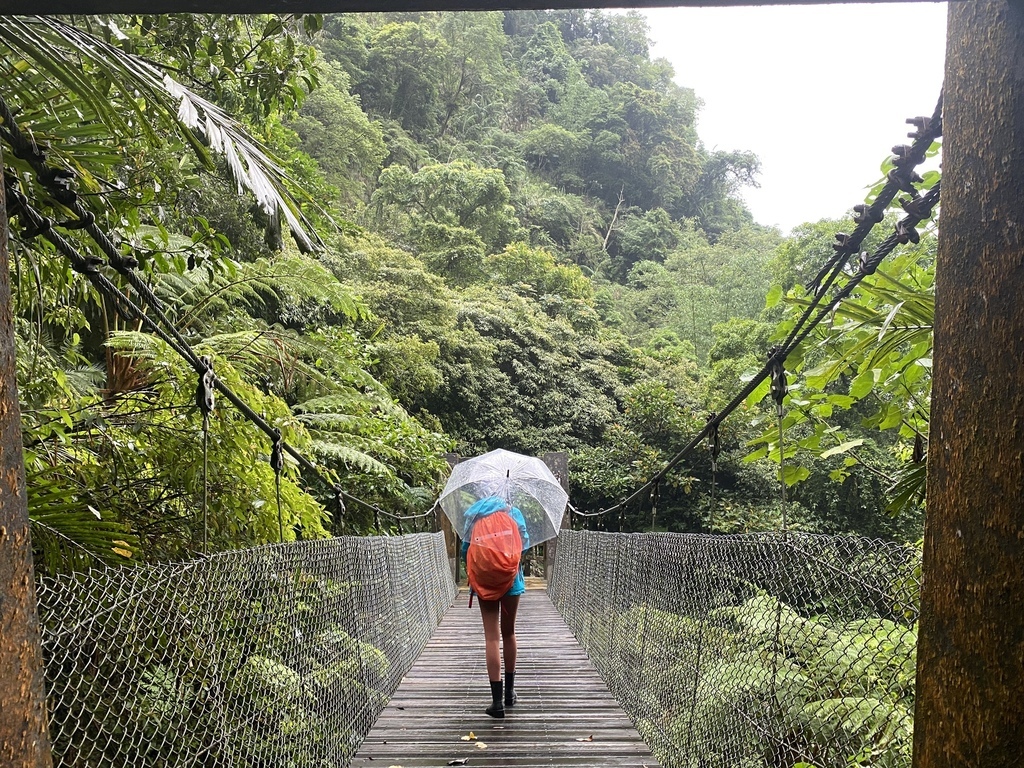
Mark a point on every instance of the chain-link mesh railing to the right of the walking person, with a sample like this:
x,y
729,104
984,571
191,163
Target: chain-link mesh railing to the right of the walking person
x,y
763,651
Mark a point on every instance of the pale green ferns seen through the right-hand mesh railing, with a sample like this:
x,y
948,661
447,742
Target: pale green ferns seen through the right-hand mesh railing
x,y
833,690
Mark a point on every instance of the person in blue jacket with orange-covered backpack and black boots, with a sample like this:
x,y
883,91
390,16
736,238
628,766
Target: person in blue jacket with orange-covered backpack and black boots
x,y
497,539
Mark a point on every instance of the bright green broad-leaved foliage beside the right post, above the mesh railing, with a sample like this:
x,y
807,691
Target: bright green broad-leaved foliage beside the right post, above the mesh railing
x,y
869,370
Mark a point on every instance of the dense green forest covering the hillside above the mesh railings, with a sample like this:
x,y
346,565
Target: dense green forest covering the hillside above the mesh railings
x,y
399,236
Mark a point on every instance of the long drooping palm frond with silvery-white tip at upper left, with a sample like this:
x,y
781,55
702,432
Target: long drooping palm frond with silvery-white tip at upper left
x,y
45,55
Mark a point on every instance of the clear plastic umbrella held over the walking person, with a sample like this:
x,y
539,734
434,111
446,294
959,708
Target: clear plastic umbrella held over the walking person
x,y
523,482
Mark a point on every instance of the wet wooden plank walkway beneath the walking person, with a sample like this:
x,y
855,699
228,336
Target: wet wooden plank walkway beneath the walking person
x,y
566,715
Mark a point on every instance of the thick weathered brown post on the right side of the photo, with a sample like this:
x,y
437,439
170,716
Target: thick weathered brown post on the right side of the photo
x,y
970,710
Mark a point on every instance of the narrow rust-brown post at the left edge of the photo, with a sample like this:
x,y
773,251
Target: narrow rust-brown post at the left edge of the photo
x,y
24,740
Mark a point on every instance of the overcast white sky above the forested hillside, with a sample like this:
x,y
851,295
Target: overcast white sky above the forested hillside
x,y
784,81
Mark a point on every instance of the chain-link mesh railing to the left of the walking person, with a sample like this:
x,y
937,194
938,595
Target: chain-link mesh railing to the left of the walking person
x,y
280,656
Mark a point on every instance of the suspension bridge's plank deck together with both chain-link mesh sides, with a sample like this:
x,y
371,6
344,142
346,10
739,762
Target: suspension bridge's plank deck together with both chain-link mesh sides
x,y
760,651
